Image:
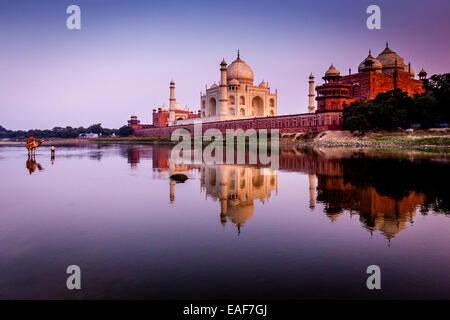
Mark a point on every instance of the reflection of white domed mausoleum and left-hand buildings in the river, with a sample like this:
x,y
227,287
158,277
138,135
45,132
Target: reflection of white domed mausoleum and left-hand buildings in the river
x,y
235,187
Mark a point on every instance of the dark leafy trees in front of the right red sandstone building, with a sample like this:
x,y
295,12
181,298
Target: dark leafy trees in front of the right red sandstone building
x,y
395,109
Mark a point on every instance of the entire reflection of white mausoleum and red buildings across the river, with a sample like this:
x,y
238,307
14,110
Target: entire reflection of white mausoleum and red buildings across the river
x,y
339,179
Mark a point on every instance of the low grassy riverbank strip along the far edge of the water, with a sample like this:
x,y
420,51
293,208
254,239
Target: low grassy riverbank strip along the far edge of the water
x,y
423,139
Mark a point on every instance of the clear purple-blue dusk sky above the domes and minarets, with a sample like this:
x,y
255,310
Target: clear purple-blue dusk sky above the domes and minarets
x,y
123,58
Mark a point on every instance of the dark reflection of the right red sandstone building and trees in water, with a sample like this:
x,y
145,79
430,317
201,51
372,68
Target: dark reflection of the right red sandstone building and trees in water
x,y
386,192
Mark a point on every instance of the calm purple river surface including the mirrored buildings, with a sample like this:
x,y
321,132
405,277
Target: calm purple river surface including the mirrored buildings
x,y
307,230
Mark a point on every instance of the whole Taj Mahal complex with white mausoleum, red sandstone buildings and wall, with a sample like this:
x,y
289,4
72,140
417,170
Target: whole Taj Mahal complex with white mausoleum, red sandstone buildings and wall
x,y
237,103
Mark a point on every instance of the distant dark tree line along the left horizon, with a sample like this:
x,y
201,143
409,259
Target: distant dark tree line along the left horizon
x,y
67,132
